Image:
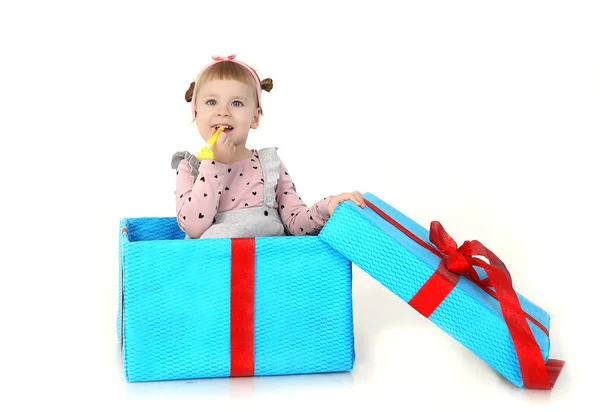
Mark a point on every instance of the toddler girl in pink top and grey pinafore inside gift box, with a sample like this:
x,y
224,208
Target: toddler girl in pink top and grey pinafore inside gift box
x,y
242,192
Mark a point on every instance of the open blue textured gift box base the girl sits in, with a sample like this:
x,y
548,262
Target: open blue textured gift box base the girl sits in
x,y
174,316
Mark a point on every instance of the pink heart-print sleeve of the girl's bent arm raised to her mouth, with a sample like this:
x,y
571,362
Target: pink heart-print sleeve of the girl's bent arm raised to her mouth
x,y
197,203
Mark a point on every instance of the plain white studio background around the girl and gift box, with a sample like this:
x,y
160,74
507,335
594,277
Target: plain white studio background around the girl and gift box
x,y
481,115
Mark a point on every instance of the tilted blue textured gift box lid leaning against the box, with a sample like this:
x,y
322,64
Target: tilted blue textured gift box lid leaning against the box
x,y
468,313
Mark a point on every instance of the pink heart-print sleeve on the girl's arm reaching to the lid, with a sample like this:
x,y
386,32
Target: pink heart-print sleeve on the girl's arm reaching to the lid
x,y
297,217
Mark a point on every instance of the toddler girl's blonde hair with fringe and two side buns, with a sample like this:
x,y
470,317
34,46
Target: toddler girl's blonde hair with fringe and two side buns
x,y
227,70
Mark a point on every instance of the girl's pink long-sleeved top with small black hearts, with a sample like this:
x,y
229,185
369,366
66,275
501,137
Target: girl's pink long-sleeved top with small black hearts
x,y
221,187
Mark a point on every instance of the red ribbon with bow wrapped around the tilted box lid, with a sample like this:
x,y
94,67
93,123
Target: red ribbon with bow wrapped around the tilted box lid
x,y
461,261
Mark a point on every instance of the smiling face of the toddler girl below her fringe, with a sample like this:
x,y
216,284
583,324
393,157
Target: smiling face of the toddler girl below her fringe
x,y
227,103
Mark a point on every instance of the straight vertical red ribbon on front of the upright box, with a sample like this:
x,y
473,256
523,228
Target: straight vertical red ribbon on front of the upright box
x,y
242,306
